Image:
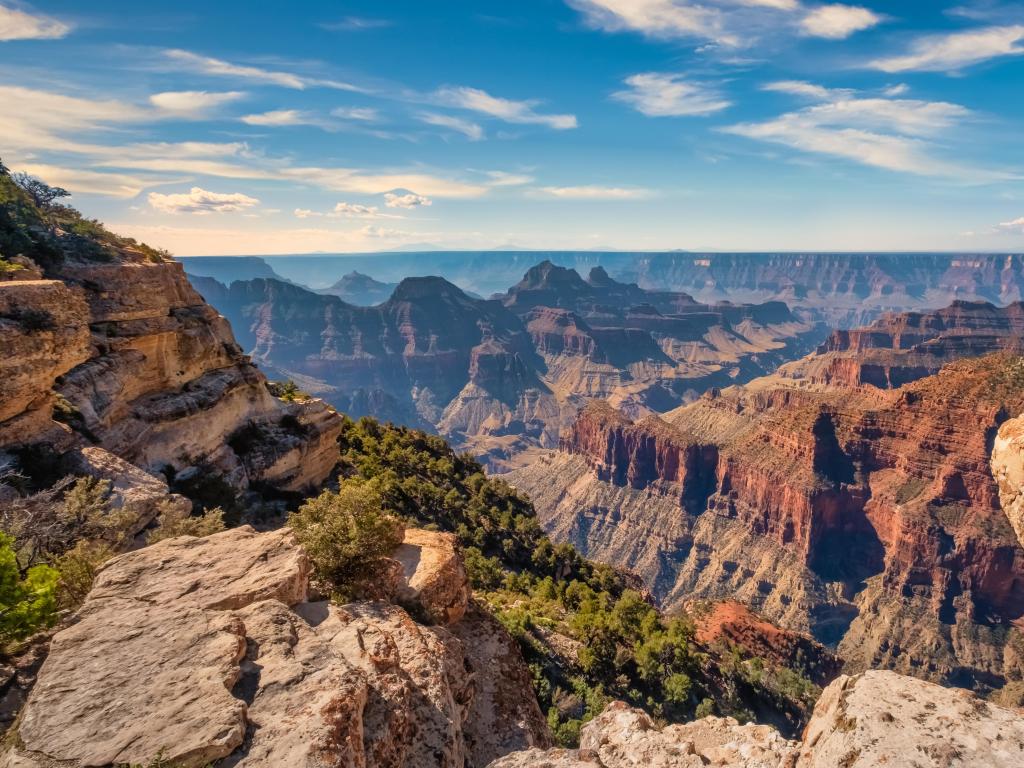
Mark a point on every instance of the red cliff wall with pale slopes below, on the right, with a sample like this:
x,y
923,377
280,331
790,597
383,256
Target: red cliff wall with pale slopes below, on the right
x,y
870,519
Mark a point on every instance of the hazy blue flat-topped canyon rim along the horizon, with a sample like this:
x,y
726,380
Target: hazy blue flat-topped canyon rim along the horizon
x,y
845,290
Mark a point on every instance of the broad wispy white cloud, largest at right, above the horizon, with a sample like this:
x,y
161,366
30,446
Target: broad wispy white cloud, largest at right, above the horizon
x,y
881,133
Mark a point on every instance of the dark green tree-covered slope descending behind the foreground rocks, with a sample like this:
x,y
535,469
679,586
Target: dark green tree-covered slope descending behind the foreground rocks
x,y
587,632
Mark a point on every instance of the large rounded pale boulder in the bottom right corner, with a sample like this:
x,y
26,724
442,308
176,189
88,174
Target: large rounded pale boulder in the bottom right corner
x,y
881,719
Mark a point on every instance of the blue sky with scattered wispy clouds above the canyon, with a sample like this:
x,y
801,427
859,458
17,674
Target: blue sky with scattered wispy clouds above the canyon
x,y
274,127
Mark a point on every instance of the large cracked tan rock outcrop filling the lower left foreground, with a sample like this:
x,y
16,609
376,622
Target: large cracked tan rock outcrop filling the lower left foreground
x,y
203,651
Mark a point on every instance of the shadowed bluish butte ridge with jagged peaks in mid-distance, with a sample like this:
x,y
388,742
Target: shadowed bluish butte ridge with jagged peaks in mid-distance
x,y
500,376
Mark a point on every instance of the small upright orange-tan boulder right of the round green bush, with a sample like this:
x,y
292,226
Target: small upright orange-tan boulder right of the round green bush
x,y
435,576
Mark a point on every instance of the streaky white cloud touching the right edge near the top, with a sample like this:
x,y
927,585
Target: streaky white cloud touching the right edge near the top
x,y
957,51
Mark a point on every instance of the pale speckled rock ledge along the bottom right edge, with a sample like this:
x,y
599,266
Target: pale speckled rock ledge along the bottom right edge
x,y
875,720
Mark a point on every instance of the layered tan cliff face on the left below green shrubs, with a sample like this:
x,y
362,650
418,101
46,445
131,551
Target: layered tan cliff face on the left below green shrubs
x,y
148,371
